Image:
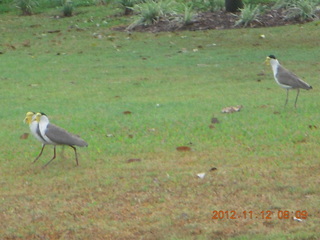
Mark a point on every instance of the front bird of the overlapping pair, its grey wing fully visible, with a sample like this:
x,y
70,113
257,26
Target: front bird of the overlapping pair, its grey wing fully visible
x,y
55,135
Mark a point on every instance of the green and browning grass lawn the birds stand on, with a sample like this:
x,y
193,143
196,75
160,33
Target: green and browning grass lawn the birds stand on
x,y
266,155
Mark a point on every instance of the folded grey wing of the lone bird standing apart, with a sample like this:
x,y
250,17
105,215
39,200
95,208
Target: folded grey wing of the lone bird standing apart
x,y
288,78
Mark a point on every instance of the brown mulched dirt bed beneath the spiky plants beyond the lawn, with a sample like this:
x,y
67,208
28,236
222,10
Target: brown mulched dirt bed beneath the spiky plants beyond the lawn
x,y
218,20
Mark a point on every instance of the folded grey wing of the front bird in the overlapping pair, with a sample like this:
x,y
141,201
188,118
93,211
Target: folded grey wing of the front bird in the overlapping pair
x,y
62,137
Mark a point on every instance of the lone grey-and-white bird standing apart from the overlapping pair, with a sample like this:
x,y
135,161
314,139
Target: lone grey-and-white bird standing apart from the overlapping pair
x,y
286,79
